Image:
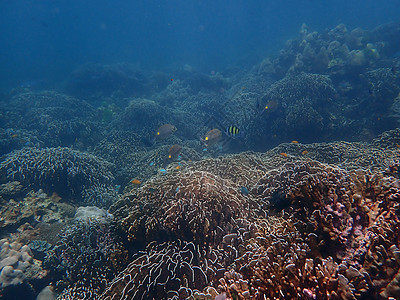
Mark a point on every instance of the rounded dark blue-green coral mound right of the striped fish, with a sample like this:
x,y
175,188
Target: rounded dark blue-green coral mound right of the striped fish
x,y
303,106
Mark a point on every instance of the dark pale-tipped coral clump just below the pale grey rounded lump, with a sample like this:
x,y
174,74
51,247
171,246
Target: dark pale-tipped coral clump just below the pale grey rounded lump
x,y
85,259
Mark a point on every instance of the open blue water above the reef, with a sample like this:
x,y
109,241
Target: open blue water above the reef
x,y
43,41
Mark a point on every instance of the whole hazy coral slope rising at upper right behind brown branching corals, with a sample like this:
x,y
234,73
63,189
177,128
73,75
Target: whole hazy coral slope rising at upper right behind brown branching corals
x,y
361,100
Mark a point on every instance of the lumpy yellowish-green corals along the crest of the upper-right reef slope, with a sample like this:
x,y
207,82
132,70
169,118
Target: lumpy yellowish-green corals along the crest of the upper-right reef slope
x,y
334,52
